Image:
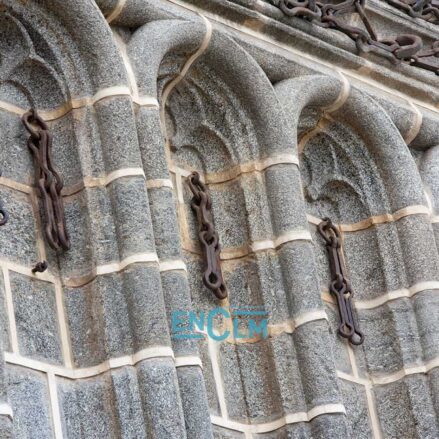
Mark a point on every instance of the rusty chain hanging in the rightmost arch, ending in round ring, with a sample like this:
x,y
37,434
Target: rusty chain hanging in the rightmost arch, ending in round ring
x,y
340,286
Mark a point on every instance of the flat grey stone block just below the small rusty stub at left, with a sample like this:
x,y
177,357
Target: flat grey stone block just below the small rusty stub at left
x,y
36,318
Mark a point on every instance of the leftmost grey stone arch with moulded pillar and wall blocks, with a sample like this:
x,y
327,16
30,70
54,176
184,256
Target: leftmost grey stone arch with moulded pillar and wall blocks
x,y
90,335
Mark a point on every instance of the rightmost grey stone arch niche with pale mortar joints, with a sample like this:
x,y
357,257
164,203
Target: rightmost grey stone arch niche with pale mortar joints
x,y
355,150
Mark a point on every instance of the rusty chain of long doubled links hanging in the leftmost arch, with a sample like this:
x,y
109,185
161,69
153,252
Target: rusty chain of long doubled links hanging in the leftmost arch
x,y
48,180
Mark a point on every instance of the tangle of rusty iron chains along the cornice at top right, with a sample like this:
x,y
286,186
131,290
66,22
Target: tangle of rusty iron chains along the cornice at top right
x,y
406,48
